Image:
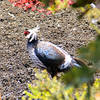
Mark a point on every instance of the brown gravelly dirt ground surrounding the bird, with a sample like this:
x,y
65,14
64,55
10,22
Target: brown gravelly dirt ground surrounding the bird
x,y
16,68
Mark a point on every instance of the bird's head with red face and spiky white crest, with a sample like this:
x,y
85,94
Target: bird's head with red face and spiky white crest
x,y
31,34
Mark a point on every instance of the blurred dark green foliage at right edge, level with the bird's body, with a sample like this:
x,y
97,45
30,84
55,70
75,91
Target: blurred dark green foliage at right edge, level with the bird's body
x,y
92,53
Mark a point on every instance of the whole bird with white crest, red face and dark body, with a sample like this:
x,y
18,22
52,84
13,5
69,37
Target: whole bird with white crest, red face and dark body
x,y
47,55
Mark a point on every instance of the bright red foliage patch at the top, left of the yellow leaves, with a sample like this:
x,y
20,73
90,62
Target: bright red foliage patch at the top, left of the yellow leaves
x,y
35,5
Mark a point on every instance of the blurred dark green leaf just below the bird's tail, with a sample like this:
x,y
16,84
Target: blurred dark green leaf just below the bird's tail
x,y
77,76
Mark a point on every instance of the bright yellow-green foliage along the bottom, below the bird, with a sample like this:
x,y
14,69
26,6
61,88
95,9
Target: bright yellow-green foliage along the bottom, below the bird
x,y
44,88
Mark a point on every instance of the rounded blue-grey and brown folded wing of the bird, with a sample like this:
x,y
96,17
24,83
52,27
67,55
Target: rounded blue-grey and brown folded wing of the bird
x,y
49,54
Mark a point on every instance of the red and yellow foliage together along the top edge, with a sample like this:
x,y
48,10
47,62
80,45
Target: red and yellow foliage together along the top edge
x,y
44,5
